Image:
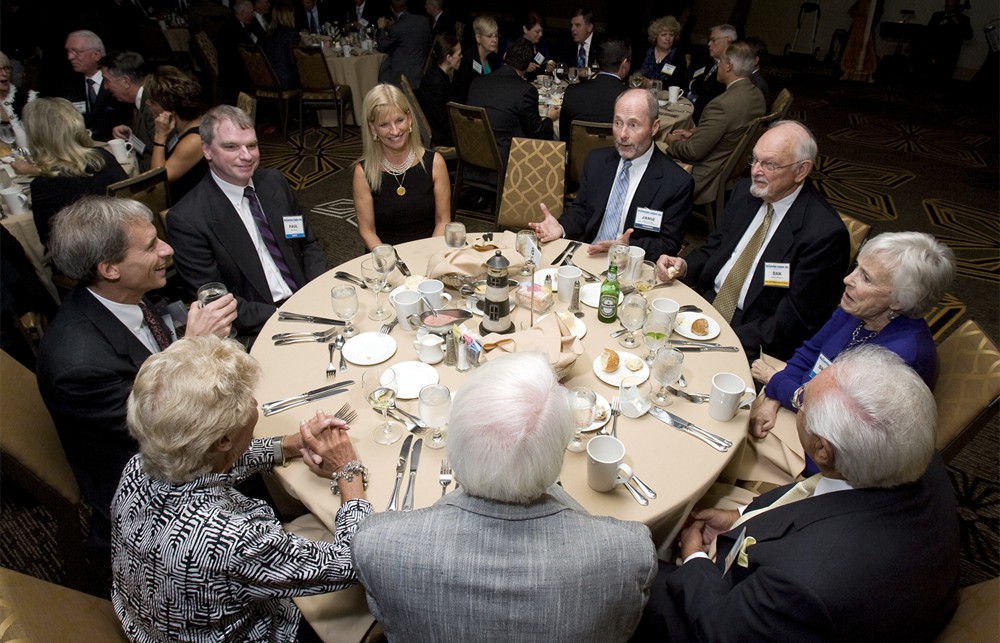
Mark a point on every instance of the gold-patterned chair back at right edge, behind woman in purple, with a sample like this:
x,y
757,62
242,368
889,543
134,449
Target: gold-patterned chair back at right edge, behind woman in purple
x,y
967,390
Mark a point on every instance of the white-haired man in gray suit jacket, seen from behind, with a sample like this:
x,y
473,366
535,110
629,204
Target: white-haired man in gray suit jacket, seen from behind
x,y
510,556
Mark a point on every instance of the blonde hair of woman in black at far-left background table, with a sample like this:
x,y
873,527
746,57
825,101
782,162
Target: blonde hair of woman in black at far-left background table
x,y
58,139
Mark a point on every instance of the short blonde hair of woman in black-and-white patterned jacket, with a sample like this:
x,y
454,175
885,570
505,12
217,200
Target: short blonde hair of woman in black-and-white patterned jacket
x,y
185,399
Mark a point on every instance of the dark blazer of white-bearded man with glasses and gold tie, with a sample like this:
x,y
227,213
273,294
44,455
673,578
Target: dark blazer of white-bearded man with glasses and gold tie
x,y
812,239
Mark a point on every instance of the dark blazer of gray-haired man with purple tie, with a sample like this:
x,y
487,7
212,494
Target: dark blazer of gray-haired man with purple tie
x,y
211,244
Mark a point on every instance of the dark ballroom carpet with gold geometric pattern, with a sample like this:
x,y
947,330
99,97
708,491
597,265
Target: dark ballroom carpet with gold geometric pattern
x,y
895,157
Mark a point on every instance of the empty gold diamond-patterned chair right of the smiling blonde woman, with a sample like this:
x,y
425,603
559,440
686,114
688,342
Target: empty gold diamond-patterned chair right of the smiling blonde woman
x,y
535,174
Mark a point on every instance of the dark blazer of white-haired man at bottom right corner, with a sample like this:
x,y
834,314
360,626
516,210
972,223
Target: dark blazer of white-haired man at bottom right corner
x,y
859,565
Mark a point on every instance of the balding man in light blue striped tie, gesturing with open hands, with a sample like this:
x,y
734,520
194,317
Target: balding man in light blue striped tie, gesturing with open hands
x,y
654,193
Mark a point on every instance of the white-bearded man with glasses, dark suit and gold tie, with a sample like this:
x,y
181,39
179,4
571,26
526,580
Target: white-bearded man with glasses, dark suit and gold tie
x,y
793,281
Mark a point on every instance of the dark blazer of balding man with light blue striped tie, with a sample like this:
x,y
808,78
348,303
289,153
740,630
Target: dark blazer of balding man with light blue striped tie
x,y
664,186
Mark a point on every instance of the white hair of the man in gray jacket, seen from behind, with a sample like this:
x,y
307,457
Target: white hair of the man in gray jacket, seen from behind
x,y
508,430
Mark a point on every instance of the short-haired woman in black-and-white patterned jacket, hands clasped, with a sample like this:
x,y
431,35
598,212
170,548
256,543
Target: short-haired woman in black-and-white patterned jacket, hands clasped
x,y
193,558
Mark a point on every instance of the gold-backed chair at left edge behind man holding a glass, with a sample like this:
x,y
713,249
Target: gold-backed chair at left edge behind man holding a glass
x,y
32,456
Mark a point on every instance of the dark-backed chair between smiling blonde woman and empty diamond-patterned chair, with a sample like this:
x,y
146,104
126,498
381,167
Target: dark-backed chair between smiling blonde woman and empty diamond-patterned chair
x,y
475,147
